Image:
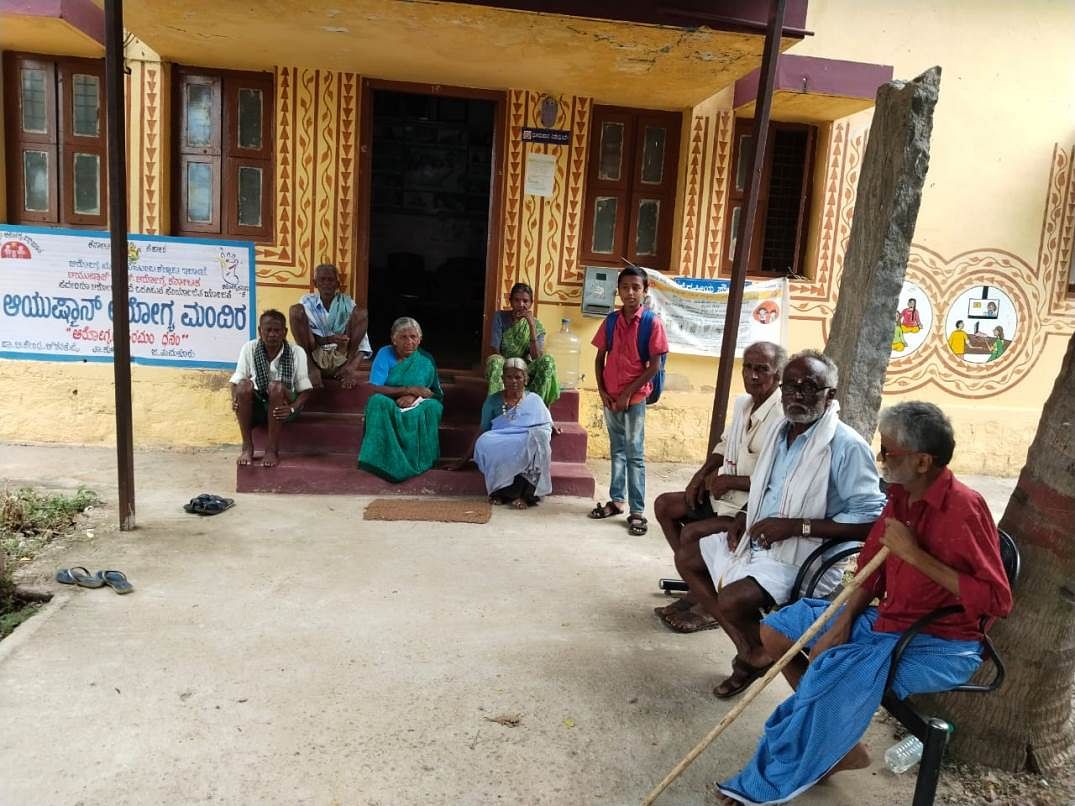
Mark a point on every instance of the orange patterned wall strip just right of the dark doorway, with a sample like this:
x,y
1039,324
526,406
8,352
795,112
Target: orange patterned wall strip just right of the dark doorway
x,y
541,236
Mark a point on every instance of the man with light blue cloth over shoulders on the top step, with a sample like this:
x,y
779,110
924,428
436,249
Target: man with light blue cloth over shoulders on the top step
x,y
331,329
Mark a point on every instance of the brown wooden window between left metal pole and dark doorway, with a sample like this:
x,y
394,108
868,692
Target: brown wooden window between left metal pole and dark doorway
x,y
224,154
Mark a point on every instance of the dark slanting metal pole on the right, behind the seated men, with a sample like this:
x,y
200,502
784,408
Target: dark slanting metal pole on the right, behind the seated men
x,y
744,240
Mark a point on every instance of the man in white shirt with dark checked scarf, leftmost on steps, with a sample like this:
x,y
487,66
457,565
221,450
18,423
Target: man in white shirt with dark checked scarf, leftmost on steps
x,y
269,387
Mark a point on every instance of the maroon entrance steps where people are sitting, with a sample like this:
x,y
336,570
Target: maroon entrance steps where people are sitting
x,y
319,452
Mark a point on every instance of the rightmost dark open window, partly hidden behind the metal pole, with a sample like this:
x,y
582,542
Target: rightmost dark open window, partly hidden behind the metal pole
x,y
781,226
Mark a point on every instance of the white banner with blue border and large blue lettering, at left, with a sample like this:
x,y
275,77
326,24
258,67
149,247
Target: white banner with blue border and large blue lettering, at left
x,y
191,303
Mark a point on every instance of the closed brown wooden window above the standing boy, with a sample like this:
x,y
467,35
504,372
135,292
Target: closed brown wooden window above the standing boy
x,y
630,193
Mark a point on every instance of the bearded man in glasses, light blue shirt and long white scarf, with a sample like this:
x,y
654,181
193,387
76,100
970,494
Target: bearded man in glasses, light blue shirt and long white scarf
x,y
815,481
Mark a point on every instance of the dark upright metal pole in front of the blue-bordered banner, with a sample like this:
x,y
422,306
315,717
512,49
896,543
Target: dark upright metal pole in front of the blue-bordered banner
x,y
118,231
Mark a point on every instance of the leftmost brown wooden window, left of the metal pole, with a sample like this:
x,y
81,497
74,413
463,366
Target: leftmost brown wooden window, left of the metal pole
x,y
55,131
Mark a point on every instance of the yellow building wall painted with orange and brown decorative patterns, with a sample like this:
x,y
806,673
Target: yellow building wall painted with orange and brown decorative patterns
x,y
998,210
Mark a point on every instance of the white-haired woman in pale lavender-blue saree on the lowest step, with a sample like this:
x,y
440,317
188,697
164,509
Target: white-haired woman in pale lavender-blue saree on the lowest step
x,y
514,451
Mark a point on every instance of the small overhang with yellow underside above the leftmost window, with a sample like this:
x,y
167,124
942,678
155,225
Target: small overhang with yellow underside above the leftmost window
x,y
62,27
